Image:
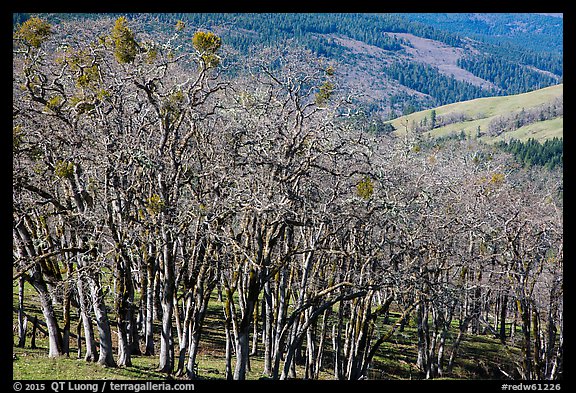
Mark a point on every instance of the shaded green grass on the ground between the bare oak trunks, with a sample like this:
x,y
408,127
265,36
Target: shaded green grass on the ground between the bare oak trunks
x,y
479,356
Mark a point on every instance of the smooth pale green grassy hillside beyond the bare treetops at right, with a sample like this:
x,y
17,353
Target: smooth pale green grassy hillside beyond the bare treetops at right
x,y
482,111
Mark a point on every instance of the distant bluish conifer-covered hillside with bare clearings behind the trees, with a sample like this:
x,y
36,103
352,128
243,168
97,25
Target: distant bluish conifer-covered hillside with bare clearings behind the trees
x,y
399,62
